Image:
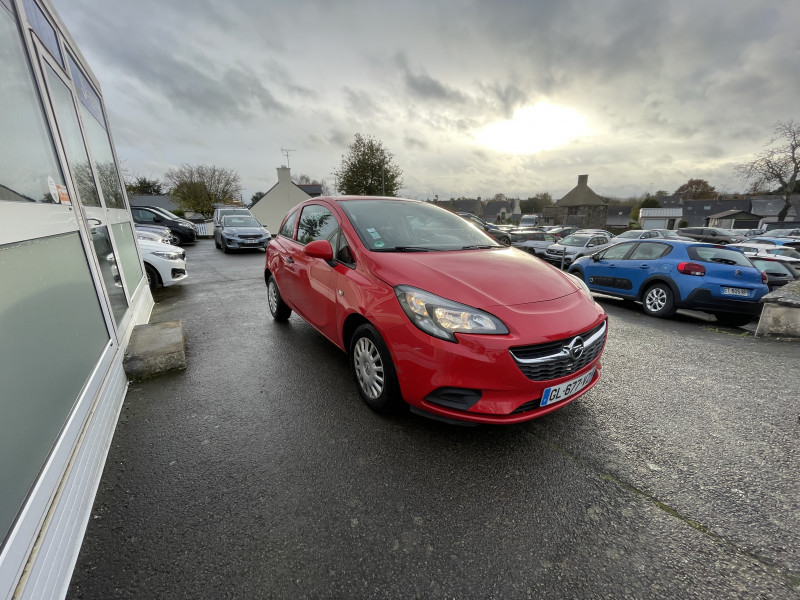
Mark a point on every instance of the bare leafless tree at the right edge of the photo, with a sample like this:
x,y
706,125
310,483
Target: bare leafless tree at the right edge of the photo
x,y
778,164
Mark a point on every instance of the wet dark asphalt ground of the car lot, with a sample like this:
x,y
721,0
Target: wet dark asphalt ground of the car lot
x,y
258,473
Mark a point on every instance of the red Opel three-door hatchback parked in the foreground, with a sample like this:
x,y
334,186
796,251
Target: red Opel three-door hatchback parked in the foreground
x,y
435,312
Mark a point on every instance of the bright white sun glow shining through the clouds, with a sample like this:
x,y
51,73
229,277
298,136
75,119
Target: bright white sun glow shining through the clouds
x,y
534,128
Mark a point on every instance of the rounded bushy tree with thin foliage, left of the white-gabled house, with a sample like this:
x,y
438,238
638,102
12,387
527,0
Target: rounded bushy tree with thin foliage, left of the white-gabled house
x,y
198,188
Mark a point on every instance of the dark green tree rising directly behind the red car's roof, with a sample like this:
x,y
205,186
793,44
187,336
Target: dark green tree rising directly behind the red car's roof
x,y
368,169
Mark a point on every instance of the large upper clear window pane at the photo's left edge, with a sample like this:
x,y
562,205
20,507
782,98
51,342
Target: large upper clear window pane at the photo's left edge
x,y
27,157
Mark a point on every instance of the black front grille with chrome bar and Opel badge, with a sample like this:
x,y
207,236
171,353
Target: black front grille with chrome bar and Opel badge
x,y
553,360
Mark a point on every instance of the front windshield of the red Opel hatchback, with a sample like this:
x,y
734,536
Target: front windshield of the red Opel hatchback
x,y
409,225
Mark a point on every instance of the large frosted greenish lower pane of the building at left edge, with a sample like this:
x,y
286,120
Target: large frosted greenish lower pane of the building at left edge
x,y
53,333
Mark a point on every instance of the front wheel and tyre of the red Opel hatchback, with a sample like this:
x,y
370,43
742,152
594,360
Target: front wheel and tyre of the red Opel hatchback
x,y
374,371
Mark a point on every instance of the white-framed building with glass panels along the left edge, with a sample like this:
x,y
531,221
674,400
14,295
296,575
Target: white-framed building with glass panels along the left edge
x,y
72,290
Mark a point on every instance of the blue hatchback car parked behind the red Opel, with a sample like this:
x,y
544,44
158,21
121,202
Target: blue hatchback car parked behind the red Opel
x,y
665,275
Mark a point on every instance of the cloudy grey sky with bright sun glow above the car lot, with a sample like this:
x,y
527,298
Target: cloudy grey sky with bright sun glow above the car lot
x,y
473,97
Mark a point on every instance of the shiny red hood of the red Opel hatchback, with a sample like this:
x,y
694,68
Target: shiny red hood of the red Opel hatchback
x,y
479,278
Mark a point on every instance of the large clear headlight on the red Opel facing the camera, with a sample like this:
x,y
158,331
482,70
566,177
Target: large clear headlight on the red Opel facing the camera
x,y
443,318
